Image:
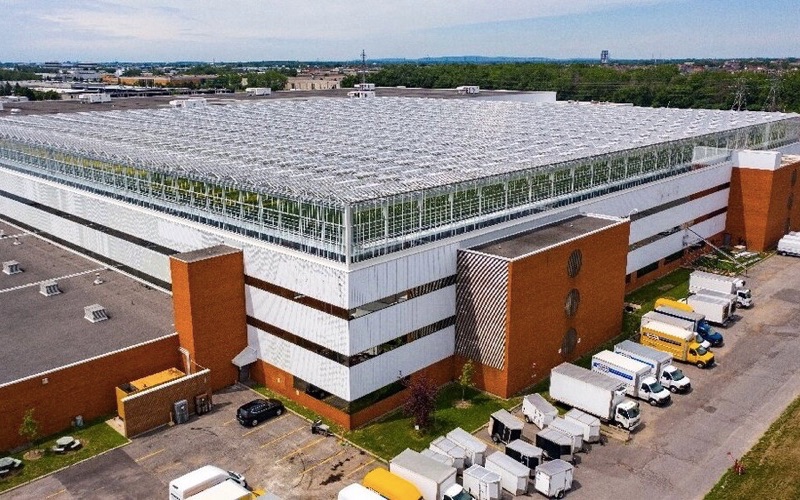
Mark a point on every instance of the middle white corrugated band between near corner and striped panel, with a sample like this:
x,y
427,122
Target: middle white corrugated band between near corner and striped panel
x,y
387,324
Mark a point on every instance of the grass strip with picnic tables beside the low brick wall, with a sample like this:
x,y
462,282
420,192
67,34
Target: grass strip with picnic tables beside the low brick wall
x,y
96,437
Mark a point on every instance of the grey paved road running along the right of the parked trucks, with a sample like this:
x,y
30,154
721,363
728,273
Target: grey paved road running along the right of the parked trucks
x,y
685,448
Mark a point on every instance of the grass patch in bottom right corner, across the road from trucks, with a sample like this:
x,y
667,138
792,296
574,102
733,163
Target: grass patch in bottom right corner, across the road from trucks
x,y
771,465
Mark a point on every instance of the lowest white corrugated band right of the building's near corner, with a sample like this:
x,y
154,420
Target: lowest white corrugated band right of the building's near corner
x,y
389,367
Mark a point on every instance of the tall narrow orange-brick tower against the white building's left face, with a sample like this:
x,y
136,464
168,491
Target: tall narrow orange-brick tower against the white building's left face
x,y
210,314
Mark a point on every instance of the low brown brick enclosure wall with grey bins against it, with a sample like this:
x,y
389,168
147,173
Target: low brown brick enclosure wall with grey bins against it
x,y
152,408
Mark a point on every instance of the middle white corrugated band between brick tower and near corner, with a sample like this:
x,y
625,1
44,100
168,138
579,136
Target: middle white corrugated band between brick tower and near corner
x,y
311,324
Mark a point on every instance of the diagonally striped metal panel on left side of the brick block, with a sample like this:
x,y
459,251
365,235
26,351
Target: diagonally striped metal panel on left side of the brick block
x,y
481,303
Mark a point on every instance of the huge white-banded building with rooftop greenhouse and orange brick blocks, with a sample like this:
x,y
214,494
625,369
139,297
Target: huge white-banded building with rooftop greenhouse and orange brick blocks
x,y
331,248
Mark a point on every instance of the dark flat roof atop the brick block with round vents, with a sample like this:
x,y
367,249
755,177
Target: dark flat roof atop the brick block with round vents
x,y
546,236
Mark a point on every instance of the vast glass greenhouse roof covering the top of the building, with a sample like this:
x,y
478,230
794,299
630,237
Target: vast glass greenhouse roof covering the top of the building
x,y
343,151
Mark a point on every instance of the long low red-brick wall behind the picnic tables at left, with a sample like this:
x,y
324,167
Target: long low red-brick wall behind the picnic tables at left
x,y
86,389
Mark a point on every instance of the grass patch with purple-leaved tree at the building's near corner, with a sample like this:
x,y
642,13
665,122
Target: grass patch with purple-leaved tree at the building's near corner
x,y
395,432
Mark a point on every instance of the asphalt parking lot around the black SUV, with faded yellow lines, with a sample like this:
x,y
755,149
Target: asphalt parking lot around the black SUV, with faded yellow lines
x,y
280,455
